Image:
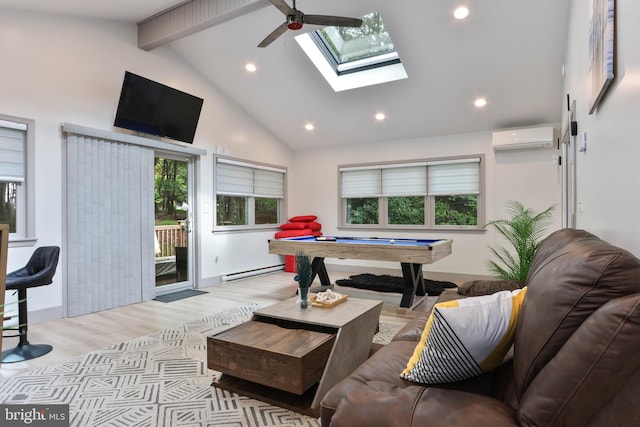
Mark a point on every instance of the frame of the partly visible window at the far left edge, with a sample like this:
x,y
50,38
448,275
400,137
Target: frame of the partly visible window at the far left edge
x,y
25,234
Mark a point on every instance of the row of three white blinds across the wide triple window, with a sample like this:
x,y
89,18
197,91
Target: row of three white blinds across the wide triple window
x,y
447,177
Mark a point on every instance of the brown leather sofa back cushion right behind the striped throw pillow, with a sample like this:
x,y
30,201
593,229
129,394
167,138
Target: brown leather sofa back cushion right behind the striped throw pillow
x,y
565,287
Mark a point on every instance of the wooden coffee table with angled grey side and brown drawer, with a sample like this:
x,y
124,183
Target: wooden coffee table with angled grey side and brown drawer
x,y
291,357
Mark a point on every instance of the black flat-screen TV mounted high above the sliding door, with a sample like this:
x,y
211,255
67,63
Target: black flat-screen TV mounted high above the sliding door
x,y
155,109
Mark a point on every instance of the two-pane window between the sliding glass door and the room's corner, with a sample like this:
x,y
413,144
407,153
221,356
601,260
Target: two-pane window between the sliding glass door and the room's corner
x,y
248,195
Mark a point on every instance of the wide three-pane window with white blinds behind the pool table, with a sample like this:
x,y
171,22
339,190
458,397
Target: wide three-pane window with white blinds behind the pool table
x,y
418,195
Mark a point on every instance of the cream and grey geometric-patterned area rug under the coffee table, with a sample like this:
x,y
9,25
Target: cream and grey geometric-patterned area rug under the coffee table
x,y
156,380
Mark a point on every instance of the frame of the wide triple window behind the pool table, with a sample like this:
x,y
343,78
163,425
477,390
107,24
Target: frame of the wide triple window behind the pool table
x,y
383,206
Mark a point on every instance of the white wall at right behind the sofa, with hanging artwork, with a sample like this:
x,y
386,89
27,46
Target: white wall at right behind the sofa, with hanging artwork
x,y
608,176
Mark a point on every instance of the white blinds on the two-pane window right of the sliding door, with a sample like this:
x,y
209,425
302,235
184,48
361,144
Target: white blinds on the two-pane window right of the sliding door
x,y
245,179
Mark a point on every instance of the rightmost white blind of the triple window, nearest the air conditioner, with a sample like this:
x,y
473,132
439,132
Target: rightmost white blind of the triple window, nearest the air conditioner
x,y
456,177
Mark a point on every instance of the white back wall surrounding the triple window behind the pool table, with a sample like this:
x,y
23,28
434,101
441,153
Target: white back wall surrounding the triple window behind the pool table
x,y
529,176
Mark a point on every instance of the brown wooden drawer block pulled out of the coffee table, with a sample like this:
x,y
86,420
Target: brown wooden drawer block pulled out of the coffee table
x,y
290,359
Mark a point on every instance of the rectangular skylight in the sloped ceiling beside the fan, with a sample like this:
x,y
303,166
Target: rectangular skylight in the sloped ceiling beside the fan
x,y
349,57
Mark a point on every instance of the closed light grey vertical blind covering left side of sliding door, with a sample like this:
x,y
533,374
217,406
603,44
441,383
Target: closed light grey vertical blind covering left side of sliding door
x,y
109,224
